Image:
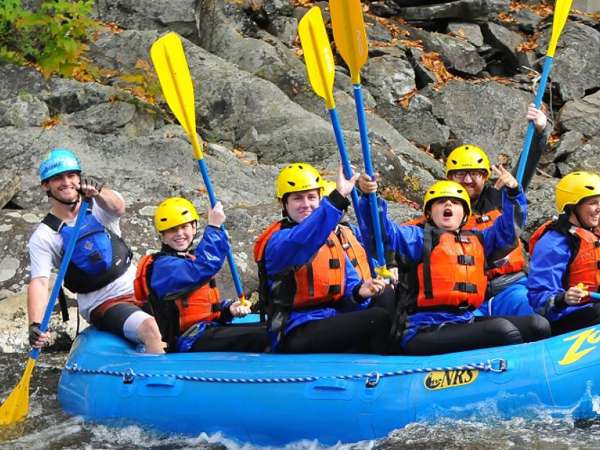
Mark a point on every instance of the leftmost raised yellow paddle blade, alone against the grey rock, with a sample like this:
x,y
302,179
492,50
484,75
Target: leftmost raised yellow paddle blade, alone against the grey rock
x,y
173,73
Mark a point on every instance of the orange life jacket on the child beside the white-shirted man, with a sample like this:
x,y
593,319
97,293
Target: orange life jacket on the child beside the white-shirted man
x,y
199,305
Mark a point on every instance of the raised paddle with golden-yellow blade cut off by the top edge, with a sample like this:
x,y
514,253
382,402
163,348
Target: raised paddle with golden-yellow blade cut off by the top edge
x,y
351,41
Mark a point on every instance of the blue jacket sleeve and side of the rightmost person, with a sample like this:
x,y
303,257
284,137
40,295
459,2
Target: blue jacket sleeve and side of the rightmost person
x,y
547,267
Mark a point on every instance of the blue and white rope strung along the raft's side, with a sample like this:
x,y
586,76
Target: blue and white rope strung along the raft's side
x,y
497,365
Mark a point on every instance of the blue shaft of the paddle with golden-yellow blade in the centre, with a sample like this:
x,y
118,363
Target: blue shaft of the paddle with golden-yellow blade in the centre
x,y
366,150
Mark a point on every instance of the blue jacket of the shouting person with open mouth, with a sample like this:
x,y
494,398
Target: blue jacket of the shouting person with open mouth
x,y
407,240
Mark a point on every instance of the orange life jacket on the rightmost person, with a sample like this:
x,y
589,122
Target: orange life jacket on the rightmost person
x,y
584,265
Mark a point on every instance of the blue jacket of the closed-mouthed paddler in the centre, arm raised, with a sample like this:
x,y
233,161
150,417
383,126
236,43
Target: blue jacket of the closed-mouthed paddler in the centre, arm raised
x,y
295,246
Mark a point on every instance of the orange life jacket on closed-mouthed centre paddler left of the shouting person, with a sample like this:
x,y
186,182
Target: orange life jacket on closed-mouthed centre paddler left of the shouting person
x,y
320,280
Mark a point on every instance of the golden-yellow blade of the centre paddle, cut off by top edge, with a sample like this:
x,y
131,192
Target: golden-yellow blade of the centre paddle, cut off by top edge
x,y
349,34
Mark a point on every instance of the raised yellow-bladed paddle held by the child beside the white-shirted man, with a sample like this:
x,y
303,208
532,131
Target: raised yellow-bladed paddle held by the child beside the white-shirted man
x,y
176,82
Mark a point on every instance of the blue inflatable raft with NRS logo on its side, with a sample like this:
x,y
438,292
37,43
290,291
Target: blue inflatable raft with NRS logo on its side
x,y
271,399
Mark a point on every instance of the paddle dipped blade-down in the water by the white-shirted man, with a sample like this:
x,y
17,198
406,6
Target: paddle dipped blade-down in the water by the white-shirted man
x,y
16,406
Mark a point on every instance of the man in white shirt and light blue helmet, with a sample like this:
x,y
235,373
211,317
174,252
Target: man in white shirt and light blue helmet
x,y
104,287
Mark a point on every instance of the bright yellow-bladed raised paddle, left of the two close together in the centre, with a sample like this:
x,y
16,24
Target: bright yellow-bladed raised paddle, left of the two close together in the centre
x,y
321,73
